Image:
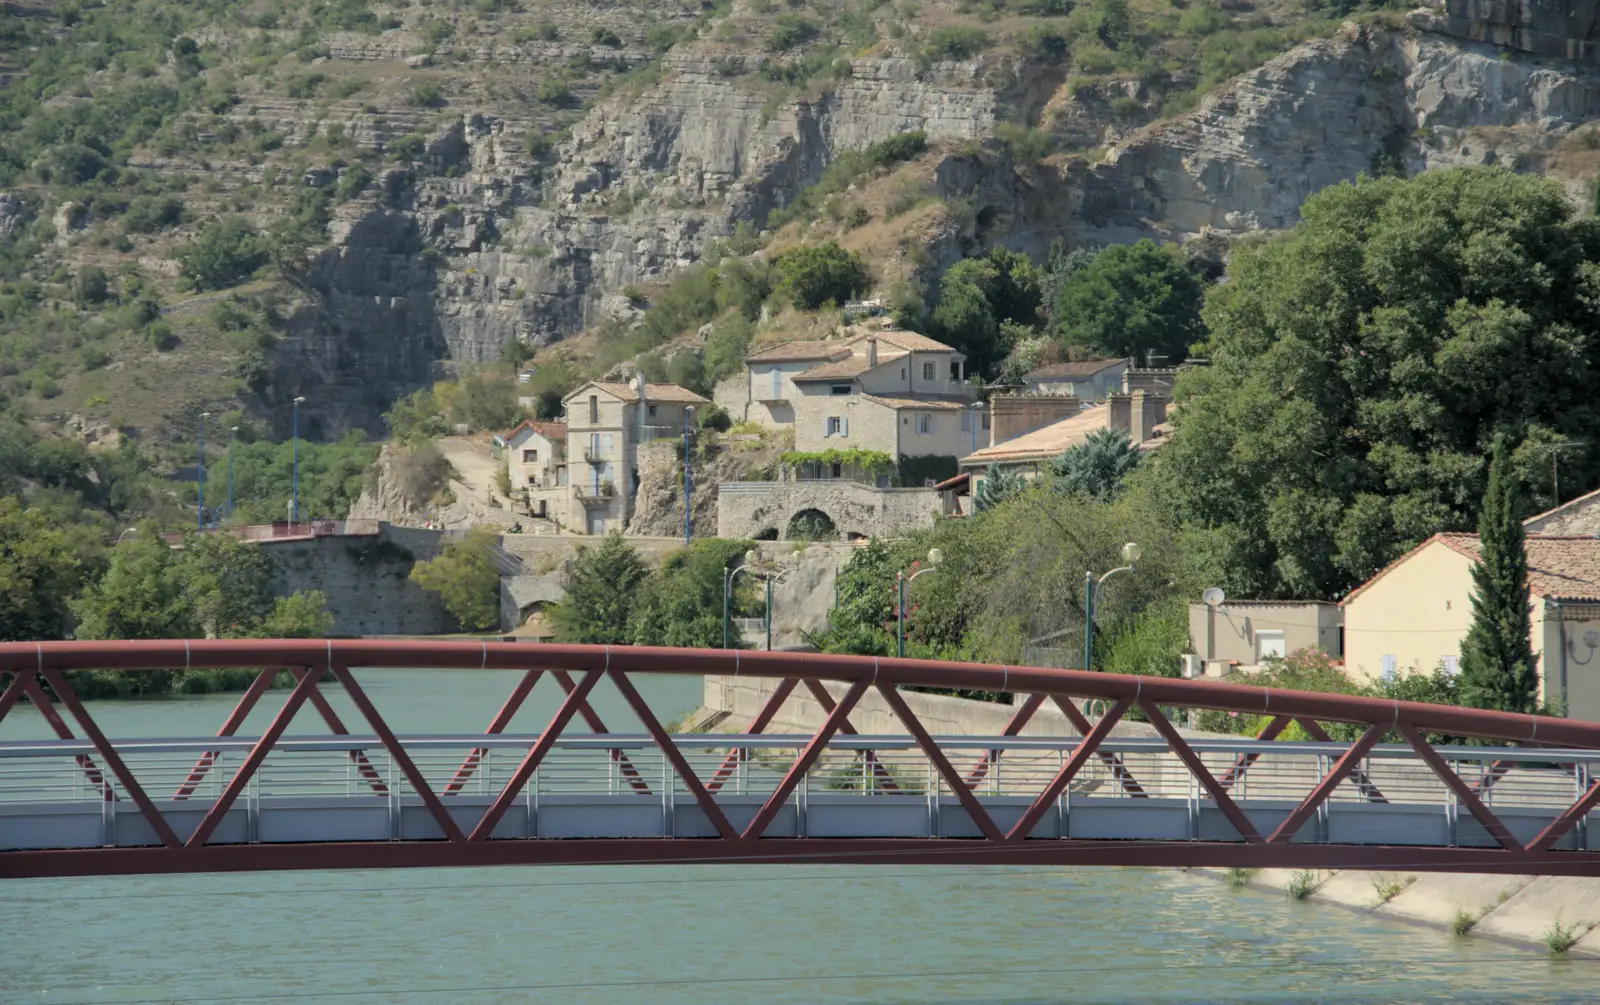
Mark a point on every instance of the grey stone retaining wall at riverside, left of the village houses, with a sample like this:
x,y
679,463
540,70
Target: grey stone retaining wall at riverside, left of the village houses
x,y
366,580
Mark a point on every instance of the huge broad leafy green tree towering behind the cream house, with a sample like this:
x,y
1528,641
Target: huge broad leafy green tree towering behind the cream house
x,y
1364,364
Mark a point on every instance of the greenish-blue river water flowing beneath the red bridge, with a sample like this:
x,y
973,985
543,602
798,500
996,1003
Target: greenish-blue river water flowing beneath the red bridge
x,y
719,935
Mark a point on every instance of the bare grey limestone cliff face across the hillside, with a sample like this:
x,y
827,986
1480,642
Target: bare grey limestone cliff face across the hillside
x,y
522,250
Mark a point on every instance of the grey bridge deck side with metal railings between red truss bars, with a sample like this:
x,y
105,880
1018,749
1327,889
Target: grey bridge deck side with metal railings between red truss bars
x,y
330,790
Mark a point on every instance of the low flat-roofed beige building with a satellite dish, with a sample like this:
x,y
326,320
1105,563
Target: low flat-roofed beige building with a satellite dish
x,y
1241,635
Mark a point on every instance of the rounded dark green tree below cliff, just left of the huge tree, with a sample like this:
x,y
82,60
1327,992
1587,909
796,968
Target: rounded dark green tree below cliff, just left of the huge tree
x,y
1132,300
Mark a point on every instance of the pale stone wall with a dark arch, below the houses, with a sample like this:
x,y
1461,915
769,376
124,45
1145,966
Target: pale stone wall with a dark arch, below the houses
x,y
746,510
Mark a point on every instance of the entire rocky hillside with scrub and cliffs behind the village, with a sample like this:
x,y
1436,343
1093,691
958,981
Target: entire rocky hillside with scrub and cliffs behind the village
x,y
428,185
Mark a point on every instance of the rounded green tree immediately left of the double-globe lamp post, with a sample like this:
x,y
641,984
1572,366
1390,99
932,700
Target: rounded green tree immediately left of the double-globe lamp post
x,y
682,603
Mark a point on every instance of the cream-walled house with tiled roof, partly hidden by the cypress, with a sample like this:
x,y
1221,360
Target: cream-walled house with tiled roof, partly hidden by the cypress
x,y
1415,615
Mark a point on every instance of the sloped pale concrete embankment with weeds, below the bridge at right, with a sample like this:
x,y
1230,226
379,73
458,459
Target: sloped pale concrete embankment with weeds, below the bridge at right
x,y
1521,910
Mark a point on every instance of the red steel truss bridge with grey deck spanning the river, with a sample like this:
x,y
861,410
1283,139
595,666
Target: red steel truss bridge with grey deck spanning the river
x,y
1129,790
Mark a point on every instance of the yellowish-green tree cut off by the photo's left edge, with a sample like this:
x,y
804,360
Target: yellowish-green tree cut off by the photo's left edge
x,y
44,564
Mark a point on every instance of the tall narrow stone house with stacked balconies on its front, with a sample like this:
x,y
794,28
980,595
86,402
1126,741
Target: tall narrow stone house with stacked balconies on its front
x,y
607,423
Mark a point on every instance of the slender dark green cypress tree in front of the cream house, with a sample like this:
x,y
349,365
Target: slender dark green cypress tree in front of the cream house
x,y
1497,659
